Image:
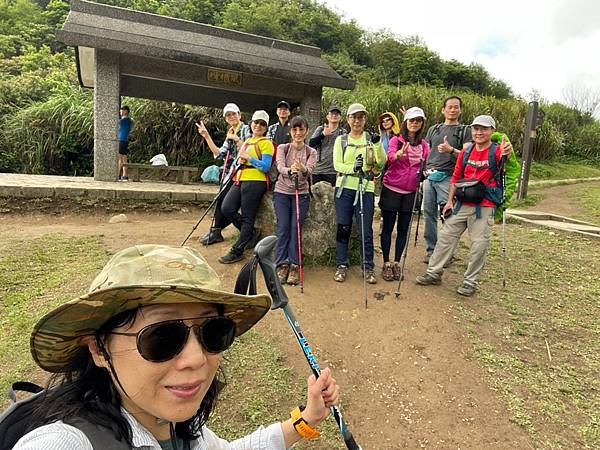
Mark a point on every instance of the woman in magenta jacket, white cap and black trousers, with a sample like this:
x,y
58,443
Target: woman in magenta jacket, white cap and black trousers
x,y
400,183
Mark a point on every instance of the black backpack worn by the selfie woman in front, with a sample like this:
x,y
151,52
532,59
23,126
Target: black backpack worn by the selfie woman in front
x,y
14,421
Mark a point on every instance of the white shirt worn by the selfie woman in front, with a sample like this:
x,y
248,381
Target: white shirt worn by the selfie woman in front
x,y
60,436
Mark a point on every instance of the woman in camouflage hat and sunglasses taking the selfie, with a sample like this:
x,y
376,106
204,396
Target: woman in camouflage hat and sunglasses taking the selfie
x,y
128,374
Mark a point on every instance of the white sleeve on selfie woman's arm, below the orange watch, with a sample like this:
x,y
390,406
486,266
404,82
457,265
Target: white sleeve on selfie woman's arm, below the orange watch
x,y
269,438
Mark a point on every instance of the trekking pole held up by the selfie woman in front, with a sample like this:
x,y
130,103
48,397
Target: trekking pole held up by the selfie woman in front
x,y
263,254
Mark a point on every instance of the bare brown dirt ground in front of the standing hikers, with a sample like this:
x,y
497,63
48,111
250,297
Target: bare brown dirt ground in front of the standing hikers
x,y
401,363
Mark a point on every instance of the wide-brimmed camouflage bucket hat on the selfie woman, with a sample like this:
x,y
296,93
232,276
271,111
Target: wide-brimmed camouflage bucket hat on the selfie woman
x,y
134,277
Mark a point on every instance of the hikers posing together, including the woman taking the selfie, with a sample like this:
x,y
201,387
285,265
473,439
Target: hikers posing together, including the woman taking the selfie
x,y
127,371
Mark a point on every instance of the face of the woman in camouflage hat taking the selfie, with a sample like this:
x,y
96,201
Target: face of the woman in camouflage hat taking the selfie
x,y
171,390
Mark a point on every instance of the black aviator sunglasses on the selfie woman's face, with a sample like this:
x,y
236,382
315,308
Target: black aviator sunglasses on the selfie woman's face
x,y
164,340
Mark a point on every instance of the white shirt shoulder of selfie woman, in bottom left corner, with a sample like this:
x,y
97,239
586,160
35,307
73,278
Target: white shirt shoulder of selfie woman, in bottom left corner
x,y
54,436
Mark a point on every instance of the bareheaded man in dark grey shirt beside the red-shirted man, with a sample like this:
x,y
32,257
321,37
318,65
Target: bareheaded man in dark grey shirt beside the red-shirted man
x,y
446,140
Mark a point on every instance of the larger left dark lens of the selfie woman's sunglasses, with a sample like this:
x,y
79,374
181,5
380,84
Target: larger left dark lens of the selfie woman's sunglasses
x,y
162,341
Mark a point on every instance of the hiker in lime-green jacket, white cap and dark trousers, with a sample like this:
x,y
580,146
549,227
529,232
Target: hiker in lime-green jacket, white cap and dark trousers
x,y
355,155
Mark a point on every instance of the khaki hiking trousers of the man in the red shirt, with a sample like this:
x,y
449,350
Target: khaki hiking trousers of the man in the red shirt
x,y
480,232
